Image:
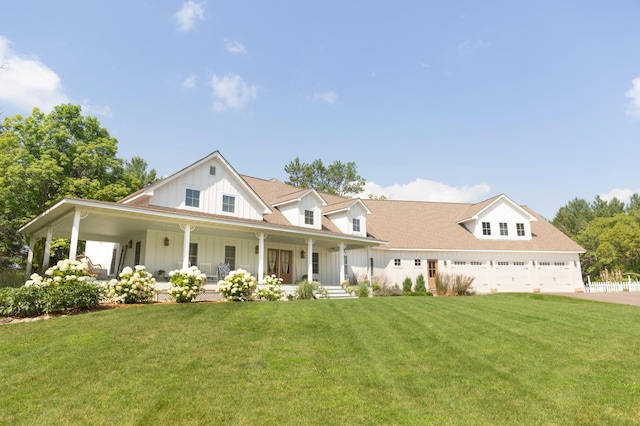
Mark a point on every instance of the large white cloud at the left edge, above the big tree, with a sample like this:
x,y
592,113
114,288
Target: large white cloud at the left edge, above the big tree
x,y
25,82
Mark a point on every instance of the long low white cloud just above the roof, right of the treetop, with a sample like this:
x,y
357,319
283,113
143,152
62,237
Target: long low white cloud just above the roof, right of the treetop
x,y
427,190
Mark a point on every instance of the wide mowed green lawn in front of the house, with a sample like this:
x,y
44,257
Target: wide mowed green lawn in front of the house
x,y
499,359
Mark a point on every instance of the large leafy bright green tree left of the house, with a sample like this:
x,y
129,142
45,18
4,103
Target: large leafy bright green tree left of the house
x,y
46,157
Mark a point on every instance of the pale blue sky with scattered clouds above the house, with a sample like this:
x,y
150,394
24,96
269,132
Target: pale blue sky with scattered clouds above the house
x,y
442,101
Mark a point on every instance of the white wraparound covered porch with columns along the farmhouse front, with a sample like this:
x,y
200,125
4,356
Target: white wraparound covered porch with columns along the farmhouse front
x,y
166,239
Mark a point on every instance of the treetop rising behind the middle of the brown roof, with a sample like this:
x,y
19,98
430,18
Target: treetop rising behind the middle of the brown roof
x,y
338,178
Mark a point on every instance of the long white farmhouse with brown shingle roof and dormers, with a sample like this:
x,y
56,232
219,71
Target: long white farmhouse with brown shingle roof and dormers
x,y
209,215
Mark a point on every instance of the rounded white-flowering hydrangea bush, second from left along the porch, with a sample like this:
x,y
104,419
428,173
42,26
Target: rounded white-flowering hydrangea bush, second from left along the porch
x,y
134,286
